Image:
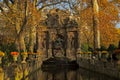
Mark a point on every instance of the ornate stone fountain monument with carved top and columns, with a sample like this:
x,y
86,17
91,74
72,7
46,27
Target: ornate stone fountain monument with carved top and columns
x,y
59,24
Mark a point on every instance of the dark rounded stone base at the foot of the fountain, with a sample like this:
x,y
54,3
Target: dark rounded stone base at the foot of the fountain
x,y
59,63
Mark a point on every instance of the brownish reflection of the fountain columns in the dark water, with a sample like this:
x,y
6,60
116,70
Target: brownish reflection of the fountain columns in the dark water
x,y
61,75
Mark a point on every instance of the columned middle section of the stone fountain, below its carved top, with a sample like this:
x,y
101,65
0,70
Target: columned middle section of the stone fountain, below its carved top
x,y
60,42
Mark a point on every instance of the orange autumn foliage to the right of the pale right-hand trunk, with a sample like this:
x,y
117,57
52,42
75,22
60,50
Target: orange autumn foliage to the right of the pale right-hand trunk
x,y
108,20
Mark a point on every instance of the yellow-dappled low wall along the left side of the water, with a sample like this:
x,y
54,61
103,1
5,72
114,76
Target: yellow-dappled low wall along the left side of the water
x,y
23,71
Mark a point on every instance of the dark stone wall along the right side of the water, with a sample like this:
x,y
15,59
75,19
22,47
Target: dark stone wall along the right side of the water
x,y
107,68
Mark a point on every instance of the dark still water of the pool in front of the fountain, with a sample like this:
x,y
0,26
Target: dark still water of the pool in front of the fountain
x,y
79,74
